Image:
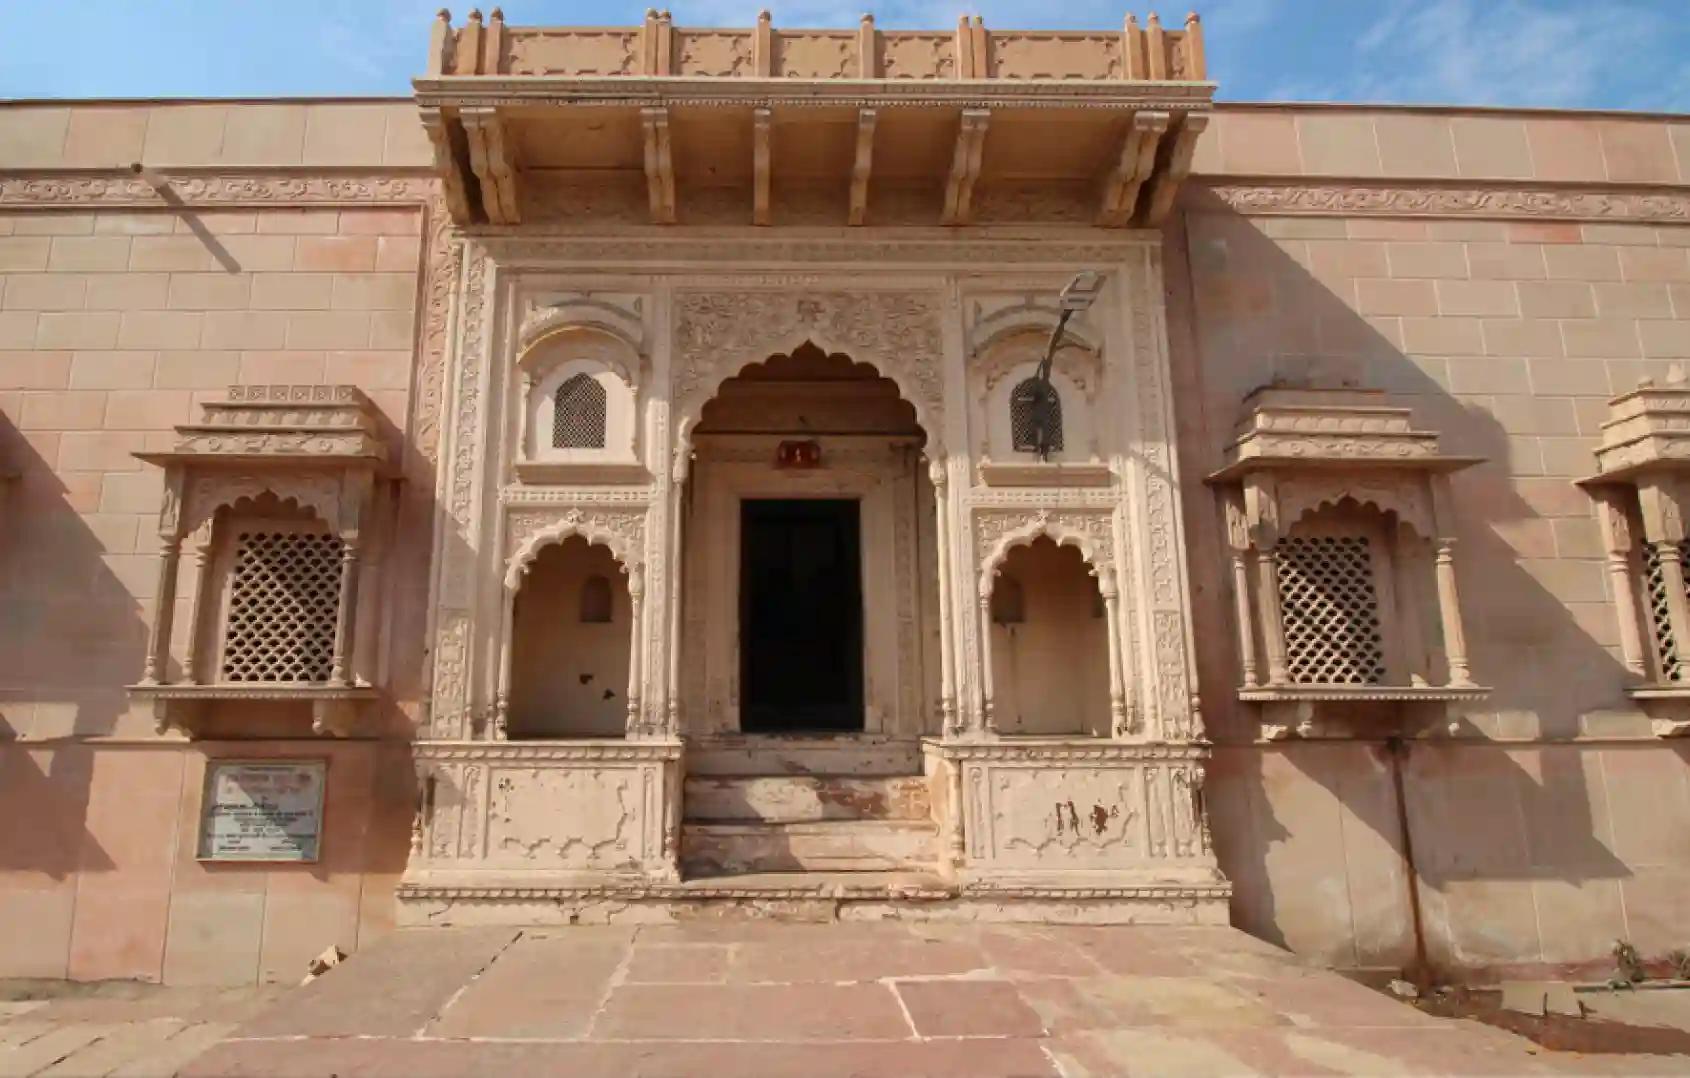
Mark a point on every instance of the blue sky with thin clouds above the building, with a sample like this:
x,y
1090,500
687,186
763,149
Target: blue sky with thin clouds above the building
x,y
1535,53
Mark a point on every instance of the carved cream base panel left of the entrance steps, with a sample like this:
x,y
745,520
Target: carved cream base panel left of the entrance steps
x,y
574,814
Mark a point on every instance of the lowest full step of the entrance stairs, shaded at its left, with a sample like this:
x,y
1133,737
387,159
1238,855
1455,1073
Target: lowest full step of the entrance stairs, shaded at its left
x,y
834,846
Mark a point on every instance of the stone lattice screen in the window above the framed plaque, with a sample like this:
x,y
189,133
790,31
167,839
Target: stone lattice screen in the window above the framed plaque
x,y
283,604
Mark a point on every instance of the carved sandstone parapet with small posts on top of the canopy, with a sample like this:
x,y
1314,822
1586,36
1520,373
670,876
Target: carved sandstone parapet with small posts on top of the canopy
x,y
660,48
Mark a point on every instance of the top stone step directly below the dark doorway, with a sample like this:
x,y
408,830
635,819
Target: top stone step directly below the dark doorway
x,y
853,754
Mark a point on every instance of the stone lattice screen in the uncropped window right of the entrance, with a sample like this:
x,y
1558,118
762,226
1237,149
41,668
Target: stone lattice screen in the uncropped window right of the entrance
x,y
1331,611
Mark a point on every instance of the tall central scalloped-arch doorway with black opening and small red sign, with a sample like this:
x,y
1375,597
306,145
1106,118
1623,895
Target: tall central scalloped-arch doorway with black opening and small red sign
x,y
810,555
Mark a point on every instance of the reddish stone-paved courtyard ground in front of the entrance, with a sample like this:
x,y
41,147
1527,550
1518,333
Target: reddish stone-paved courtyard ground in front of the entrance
x,y
787,999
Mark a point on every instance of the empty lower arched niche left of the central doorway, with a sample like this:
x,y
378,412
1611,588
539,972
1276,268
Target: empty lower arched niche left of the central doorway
x,y
570,645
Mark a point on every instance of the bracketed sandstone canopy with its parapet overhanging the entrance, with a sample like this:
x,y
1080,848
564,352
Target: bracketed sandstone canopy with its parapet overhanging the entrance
x,y
824,128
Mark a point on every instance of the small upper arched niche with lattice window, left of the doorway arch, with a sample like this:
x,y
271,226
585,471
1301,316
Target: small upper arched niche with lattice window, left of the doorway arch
x,y
564,425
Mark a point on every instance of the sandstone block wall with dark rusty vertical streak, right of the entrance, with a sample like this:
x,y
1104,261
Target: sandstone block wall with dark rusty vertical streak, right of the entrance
x,y
1556,824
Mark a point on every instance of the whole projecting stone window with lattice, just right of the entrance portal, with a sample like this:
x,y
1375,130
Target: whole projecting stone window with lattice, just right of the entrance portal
x,y
1343,555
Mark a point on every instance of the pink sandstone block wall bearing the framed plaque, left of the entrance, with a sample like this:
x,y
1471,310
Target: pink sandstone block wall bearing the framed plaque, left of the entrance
x,y
114,324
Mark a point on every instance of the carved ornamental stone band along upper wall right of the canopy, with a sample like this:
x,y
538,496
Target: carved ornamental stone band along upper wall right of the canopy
x,y
1392,200
